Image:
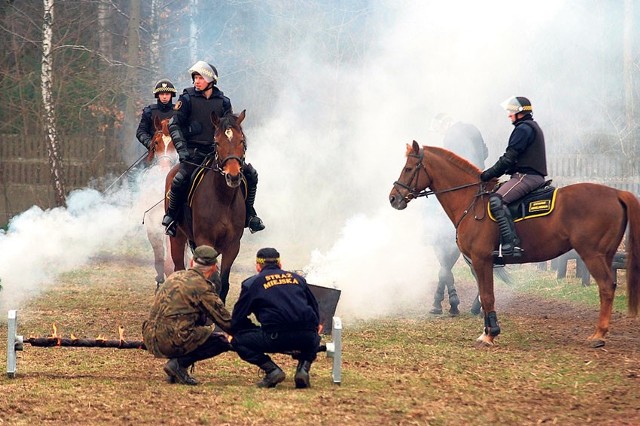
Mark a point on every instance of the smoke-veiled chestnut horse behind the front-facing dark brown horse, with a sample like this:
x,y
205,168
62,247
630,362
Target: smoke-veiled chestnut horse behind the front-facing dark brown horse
x,y
161,157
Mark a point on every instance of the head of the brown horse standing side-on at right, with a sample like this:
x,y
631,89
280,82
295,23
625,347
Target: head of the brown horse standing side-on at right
x,y
412,180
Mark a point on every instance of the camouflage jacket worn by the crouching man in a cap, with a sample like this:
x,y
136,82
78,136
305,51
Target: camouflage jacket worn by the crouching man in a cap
x,y
182,307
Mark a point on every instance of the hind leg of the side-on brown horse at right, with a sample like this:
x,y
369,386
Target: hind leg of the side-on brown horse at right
x,y
600,268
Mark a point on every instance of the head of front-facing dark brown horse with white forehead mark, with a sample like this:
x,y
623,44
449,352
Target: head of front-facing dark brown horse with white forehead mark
x,y
230,146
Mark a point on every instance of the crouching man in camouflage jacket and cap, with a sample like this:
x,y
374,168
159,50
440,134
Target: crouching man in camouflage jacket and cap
x,y
183,306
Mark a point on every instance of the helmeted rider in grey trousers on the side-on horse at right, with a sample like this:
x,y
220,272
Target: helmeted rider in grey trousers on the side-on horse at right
x,y
525,159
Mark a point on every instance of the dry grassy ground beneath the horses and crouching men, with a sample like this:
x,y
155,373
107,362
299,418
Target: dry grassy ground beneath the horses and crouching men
x,y
414,369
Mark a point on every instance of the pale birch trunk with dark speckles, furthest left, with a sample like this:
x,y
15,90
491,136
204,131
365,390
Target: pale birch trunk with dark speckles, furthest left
x,y
53,151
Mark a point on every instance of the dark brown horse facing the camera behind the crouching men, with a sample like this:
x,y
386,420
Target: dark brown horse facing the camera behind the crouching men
x,y
217,205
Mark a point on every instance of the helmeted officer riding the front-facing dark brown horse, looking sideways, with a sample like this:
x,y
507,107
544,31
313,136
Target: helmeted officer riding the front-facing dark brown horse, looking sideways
x,y
192,132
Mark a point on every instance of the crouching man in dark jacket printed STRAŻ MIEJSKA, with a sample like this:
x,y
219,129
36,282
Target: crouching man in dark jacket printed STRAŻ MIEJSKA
x,y
288,313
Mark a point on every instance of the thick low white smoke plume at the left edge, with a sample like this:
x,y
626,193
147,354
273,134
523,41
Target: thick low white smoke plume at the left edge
x,y
41,244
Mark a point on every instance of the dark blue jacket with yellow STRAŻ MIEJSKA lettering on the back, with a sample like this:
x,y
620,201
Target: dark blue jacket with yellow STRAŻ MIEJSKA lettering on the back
x,y
280,300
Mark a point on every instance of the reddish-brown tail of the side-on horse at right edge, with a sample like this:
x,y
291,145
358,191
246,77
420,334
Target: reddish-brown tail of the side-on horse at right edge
x,y
632,206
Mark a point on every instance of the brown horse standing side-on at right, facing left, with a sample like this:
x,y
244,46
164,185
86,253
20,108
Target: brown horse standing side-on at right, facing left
x,y
590,218
